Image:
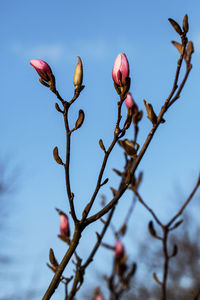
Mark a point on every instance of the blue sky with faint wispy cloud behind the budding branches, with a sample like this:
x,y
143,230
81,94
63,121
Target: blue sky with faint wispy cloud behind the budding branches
x,y
58,31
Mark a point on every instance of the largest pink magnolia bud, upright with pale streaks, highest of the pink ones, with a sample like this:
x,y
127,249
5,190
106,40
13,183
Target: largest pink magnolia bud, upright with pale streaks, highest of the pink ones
x,y
120,69
